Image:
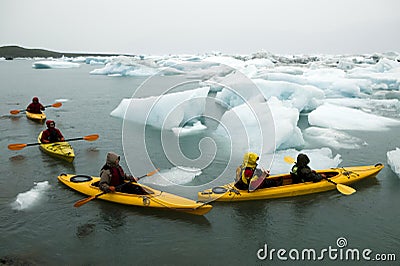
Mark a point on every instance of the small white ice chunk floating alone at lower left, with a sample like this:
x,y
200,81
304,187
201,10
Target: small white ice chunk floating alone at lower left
x,y
27,199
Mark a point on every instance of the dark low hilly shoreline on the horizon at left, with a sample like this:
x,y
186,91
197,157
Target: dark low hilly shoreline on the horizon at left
x,y
11,52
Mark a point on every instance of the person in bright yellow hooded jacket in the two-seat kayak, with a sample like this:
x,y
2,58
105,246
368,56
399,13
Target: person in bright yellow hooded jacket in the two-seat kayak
x,y
248,171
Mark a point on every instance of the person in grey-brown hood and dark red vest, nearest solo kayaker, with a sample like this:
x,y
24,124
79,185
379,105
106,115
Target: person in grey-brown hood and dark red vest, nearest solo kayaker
x,y
112,177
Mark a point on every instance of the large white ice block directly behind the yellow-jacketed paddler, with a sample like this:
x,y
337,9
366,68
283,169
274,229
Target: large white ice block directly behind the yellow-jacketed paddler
x,y
245,124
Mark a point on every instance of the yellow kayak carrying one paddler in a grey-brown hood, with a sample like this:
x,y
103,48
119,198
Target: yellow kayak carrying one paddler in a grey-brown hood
x,y
151,199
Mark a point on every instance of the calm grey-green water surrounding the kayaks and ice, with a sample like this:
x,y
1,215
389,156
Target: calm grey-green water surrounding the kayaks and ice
x,y
53,232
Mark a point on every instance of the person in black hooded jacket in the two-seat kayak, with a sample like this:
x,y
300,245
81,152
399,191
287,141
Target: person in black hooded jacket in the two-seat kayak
x,y
301,172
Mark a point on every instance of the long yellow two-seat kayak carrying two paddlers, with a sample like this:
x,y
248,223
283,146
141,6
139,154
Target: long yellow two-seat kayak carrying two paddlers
x,y
336,178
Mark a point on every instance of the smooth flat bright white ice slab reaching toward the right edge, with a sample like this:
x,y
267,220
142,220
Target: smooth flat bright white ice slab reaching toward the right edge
x,y
344,118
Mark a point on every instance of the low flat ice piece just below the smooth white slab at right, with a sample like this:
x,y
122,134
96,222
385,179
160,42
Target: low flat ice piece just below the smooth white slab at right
x,y
332,138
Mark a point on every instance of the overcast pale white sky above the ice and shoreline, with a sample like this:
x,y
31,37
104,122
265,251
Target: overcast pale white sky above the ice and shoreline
x,y
187,26
